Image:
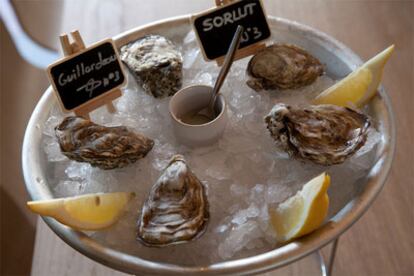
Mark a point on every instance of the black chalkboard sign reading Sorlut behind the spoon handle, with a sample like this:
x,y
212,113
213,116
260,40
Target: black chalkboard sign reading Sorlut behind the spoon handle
x,y
215,28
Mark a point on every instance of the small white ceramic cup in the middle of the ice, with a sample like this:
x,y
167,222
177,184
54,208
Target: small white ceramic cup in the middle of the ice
x,y
190,99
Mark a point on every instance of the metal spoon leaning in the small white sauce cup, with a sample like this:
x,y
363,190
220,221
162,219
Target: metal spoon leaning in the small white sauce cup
x,y
209,111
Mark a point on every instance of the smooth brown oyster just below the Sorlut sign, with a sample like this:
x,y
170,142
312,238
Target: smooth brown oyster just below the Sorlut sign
x,y
282,66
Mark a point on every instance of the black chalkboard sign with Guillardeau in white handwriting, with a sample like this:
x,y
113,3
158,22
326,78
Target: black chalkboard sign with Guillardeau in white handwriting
x,y
86,76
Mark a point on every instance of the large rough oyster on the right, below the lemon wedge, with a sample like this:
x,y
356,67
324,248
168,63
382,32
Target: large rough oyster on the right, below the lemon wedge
x,y
324,134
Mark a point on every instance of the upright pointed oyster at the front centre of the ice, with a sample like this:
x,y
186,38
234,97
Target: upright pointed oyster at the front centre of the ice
x,y
176,209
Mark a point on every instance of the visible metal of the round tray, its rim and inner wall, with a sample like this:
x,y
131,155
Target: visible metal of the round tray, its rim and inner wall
x,y
339,62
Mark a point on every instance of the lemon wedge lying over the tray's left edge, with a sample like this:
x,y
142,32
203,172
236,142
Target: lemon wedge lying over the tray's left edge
x,y
85,212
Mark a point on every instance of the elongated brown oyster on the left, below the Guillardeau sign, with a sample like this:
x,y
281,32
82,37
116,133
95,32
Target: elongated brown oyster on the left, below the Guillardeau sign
x,y
103,147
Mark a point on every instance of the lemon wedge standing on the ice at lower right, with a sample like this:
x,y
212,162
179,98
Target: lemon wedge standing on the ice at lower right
x,y
302,213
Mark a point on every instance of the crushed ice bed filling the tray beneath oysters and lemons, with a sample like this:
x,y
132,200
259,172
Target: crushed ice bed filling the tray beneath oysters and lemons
x,y
243,172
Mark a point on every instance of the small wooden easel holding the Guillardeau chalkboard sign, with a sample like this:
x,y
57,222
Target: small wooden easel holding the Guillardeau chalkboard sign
x,y
70,49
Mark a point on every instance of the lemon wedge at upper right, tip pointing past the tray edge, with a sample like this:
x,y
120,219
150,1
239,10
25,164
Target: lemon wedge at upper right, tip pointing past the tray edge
x,y
358,87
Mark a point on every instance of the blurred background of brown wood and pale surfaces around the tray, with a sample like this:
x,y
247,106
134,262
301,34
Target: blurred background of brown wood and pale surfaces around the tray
x,y
381,243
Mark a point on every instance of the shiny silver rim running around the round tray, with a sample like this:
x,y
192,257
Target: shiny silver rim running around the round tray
x,y
260,263
